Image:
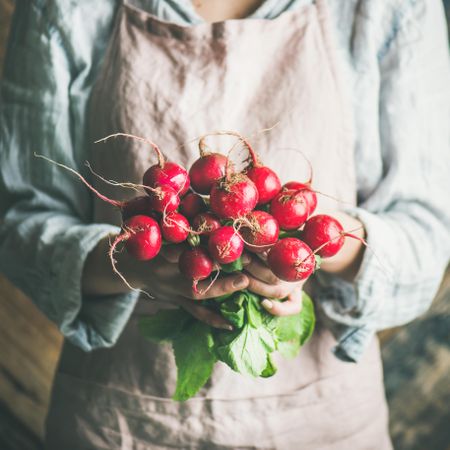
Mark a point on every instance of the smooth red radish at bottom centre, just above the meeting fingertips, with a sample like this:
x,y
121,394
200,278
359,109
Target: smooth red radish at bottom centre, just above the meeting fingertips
x,y
225,245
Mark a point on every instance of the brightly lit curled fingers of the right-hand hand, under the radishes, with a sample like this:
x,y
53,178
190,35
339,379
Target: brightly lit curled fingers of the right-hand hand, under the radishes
x,y
264,282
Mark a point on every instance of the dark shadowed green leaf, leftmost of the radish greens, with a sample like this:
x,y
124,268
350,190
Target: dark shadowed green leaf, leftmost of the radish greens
x,y
165,325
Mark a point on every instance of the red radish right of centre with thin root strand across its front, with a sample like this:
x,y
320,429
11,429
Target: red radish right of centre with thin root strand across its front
x,y
259,231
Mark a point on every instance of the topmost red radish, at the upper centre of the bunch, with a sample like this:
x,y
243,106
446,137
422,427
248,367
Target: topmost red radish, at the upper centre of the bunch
x,y
209,168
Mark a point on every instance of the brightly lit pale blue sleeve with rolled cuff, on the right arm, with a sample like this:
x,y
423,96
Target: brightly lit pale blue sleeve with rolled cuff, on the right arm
x,y
407,215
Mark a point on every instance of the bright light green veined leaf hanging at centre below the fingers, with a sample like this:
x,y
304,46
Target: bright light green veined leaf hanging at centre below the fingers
x,y
245,351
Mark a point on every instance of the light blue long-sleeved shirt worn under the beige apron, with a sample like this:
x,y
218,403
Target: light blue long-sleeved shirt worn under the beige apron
x,y
396,59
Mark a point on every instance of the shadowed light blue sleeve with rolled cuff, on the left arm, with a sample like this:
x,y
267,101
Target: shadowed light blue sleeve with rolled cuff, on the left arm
x,y
46,229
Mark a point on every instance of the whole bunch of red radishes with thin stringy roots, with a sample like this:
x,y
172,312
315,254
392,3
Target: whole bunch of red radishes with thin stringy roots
x,y
218,212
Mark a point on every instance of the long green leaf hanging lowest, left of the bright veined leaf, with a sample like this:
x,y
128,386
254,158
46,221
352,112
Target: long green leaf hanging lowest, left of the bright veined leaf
x,y
195,360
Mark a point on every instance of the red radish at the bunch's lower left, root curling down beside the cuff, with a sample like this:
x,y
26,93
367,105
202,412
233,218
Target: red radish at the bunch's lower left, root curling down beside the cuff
x,y
142,237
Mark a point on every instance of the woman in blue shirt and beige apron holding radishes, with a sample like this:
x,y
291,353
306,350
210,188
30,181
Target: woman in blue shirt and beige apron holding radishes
x,y
361,88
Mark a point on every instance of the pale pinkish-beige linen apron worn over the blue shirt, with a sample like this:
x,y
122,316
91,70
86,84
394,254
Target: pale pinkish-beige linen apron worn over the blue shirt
x,y
171,83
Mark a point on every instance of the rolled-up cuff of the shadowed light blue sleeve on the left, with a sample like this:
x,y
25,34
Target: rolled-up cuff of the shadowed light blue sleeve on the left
x,y
88,322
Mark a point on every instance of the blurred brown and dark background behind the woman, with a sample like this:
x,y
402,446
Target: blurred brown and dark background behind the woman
x,y
416,361
